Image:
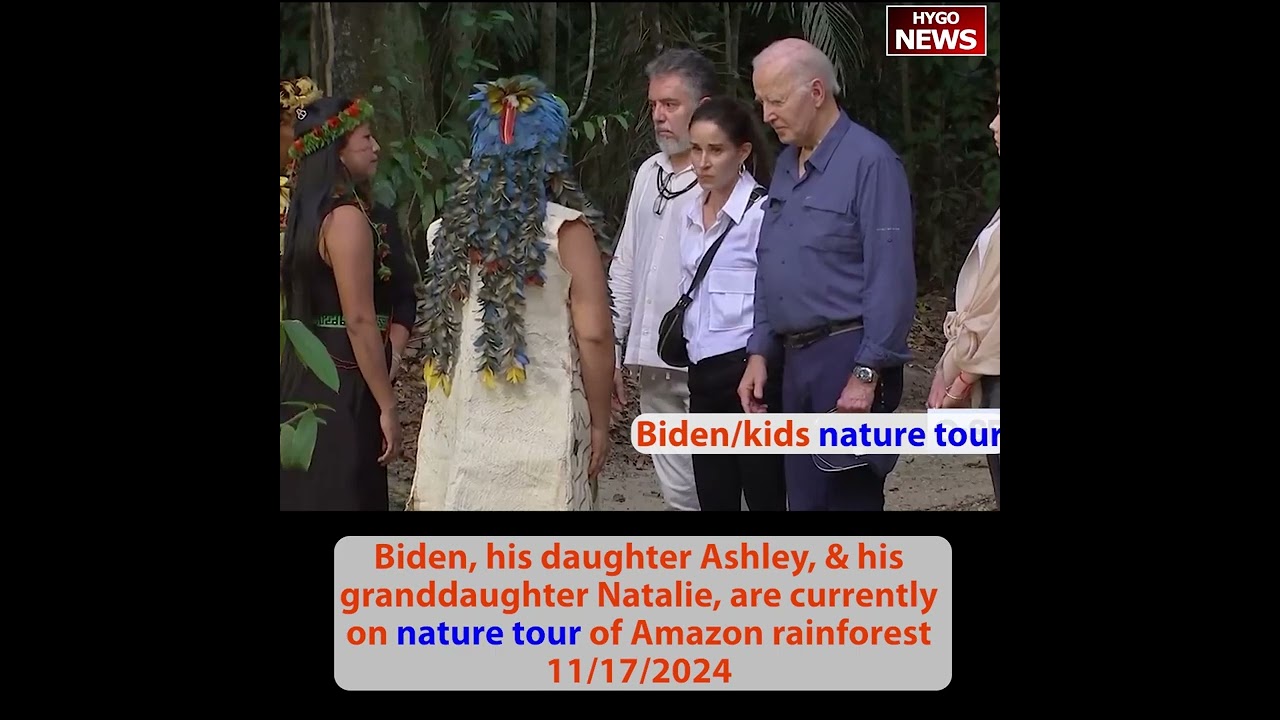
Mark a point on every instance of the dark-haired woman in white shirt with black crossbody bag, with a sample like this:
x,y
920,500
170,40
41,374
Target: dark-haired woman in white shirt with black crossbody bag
x,y
730,160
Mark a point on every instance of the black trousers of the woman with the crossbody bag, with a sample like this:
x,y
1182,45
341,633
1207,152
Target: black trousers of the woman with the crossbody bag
x,y
724,480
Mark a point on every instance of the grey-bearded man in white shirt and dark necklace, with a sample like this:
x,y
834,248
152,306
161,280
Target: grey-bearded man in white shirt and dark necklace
x,y
646,272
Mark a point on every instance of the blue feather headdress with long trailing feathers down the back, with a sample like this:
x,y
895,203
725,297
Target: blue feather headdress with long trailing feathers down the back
x,y
495,225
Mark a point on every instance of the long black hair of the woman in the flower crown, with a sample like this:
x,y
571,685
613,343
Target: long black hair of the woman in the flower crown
x,y
321,179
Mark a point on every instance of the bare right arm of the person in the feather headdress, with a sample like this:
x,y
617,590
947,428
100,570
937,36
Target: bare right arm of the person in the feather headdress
x,y
593,325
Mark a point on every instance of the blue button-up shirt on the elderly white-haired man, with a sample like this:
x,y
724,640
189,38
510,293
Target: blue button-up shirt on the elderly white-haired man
x,y
836,245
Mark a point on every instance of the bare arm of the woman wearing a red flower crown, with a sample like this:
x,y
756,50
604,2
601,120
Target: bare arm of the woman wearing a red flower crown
x,y
350,245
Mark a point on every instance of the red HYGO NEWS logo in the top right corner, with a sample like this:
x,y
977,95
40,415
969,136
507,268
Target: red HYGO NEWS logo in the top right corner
x,y
936,31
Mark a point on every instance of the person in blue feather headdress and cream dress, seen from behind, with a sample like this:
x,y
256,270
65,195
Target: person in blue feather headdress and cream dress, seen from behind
x,y
519,327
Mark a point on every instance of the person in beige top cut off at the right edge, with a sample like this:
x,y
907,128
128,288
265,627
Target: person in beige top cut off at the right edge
x,y
968,375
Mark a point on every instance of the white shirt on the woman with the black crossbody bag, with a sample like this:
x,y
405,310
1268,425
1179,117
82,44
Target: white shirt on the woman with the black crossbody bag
x,y
723,313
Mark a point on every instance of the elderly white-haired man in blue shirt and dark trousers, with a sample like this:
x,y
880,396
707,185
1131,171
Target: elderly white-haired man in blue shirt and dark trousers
x,y
836,281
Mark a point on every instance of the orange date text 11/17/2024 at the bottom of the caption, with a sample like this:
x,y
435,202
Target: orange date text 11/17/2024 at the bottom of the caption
x,y
639,671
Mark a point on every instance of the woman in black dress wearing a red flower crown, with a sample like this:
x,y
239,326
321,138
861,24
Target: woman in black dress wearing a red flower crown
x,y
336,280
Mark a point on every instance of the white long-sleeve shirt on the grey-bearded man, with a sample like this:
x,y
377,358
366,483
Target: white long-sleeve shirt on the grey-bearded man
x,y
646,271
